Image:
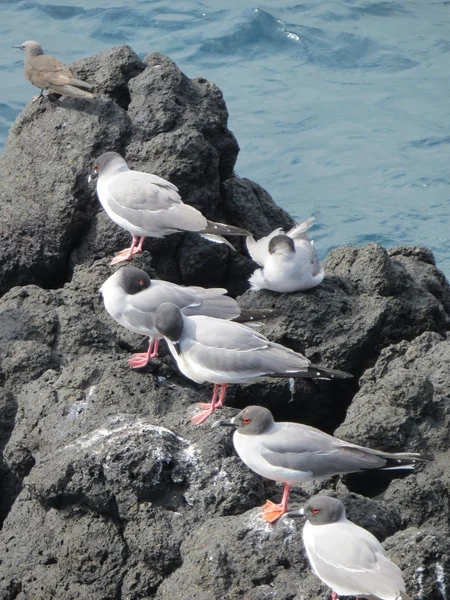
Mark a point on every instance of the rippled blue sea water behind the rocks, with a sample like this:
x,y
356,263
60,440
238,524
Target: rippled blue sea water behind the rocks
x,y
341,107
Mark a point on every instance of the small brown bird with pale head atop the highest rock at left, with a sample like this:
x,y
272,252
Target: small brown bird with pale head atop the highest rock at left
x,y
47,73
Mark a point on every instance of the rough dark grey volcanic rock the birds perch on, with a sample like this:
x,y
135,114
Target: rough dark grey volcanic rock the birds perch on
x,y
108,492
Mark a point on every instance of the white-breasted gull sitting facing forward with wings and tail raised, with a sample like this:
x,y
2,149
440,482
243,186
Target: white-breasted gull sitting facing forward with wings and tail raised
x,y
289,261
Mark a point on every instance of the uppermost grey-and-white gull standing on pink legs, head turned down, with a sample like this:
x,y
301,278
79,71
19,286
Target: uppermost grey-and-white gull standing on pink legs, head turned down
x,y
147,205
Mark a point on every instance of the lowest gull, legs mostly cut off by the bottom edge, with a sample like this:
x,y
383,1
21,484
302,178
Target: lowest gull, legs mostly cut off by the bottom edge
x,y
346,557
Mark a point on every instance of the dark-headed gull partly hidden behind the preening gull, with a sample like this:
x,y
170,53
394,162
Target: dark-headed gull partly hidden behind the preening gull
x,y
132,298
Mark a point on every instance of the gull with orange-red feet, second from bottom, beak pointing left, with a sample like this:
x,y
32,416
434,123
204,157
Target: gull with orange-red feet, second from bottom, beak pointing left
x,y
293,453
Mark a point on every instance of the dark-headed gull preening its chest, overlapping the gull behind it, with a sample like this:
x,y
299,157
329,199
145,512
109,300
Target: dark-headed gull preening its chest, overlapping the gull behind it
x,y
224,352
